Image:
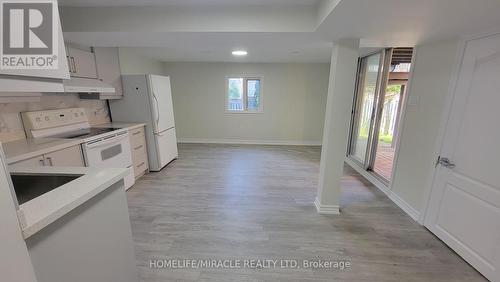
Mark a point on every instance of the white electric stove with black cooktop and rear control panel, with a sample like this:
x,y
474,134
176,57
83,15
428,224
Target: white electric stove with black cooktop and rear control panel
x,y
102,147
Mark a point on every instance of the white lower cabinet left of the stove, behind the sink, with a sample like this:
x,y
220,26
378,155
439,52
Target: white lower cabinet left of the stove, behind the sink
x,y
69,157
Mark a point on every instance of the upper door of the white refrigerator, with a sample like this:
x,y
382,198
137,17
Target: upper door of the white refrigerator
x,y
163,113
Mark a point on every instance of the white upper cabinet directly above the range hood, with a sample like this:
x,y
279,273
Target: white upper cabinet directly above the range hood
x,y
81,62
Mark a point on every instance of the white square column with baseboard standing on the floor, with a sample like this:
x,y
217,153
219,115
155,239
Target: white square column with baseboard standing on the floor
x,y
341,87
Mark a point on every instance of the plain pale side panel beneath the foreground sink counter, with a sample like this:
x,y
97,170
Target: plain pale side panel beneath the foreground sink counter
x,y
91,243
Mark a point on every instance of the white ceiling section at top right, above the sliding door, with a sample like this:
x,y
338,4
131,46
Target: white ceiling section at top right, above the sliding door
x,y
405,23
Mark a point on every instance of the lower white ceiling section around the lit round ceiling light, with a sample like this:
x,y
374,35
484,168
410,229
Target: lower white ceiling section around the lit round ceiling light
x,y
217,47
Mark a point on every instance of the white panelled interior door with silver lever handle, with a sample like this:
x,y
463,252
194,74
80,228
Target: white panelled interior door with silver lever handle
x,y
464,207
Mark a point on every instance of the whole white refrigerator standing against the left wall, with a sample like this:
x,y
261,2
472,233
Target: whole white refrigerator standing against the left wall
x,y
148,99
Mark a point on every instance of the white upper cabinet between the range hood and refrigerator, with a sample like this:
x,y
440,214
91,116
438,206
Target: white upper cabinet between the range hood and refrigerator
x,y
108,69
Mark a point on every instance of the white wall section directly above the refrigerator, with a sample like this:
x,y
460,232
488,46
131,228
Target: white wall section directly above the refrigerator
x,y
133,63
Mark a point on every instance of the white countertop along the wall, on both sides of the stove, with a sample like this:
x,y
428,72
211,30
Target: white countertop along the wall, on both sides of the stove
x,y
23,149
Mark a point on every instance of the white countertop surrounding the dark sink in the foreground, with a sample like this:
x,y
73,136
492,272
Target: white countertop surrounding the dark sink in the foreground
x,y
36,214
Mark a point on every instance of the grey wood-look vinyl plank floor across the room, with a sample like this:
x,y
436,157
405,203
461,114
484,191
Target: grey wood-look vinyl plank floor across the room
x,y
239,202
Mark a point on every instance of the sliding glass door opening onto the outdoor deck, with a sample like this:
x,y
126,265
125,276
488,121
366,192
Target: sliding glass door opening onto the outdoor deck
x,y
380,89
